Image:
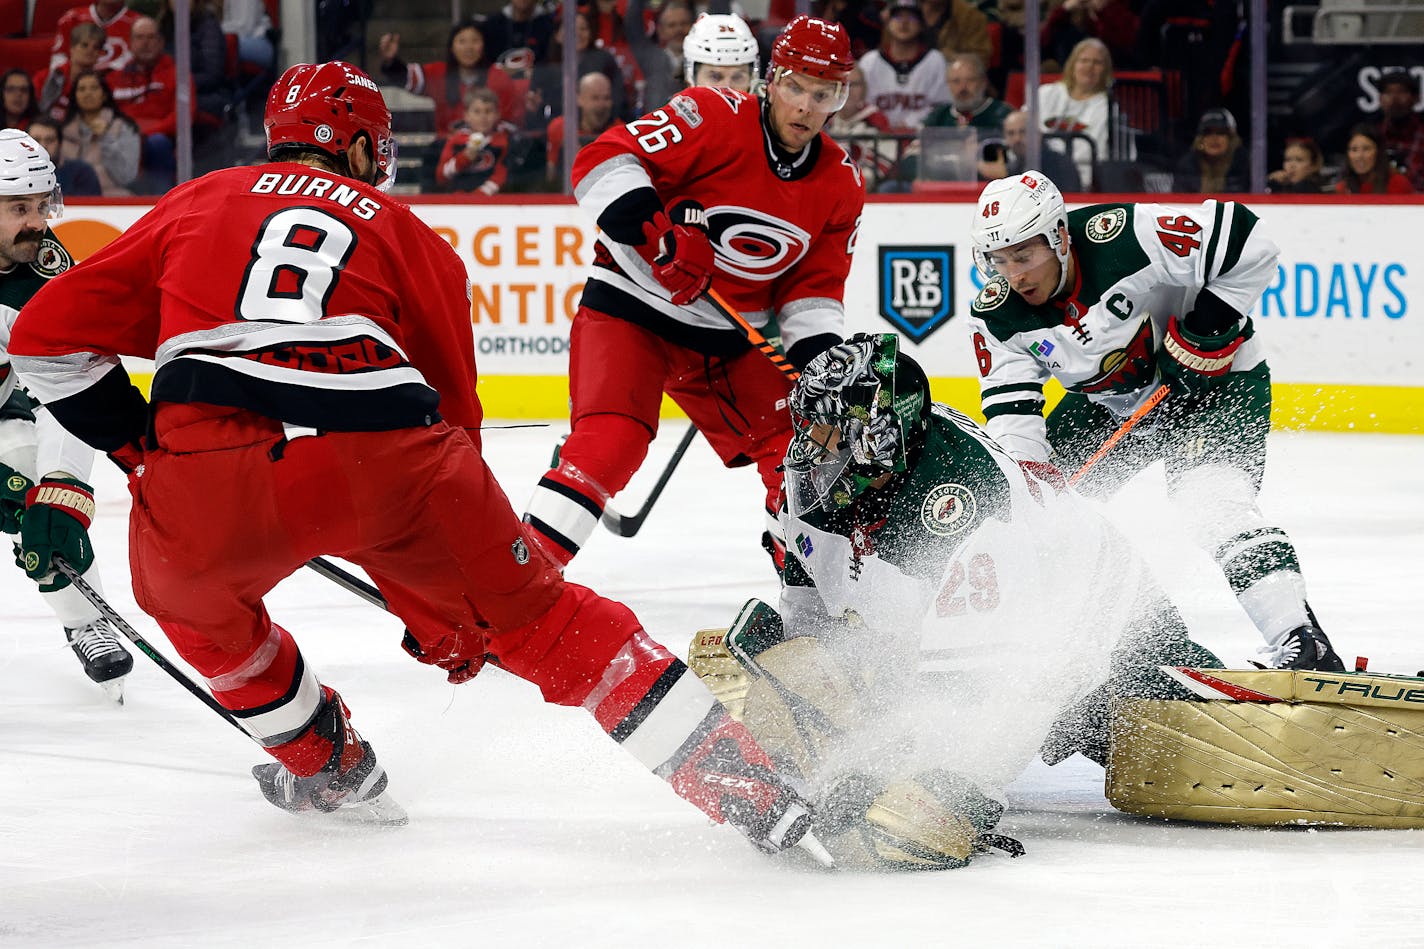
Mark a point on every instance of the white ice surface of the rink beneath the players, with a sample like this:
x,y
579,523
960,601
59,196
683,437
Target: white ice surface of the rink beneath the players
x,y
142,826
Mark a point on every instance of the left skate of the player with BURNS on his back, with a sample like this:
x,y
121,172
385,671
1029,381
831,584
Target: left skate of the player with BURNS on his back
x,y
351,782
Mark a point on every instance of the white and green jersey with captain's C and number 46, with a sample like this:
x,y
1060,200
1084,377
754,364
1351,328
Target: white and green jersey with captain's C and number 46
x,y
1137,266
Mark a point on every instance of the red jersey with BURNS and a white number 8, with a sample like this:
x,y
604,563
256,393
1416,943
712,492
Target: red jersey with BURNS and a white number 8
x,y
298,294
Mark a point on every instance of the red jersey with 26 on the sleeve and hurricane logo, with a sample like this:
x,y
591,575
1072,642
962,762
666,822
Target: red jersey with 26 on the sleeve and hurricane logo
x,y
784,227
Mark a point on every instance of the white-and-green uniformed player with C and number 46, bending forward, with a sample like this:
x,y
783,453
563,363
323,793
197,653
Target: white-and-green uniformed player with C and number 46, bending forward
x,y
1113,301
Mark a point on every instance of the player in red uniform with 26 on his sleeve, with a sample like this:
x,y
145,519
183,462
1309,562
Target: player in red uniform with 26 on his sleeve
x,y
718,187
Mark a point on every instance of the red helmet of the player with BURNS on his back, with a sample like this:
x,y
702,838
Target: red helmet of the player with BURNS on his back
x,y
325,108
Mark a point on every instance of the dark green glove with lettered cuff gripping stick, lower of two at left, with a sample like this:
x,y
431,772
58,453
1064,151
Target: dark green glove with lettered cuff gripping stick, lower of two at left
x,y
58,515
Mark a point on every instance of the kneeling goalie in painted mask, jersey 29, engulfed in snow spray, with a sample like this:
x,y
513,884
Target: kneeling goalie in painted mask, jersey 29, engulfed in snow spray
x,y
945,615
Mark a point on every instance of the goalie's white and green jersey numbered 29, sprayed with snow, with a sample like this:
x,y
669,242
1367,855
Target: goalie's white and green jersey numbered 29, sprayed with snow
x,y
976,603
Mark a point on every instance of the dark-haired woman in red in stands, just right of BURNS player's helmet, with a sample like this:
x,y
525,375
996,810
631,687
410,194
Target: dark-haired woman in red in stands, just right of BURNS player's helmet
x,y
465,69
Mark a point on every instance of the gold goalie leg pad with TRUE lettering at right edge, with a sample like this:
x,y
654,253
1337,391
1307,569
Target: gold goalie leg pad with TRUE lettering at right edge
x,y
1268,747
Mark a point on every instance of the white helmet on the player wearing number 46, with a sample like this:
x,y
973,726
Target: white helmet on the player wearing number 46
x,y
1019,209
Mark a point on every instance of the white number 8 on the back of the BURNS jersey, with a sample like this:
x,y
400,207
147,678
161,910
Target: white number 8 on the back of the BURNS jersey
x,y
294,267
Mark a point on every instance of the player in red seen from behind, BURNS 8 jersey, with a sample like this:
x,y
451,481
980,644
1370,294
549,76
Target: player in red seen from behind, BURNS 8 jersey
x,y
314,394
